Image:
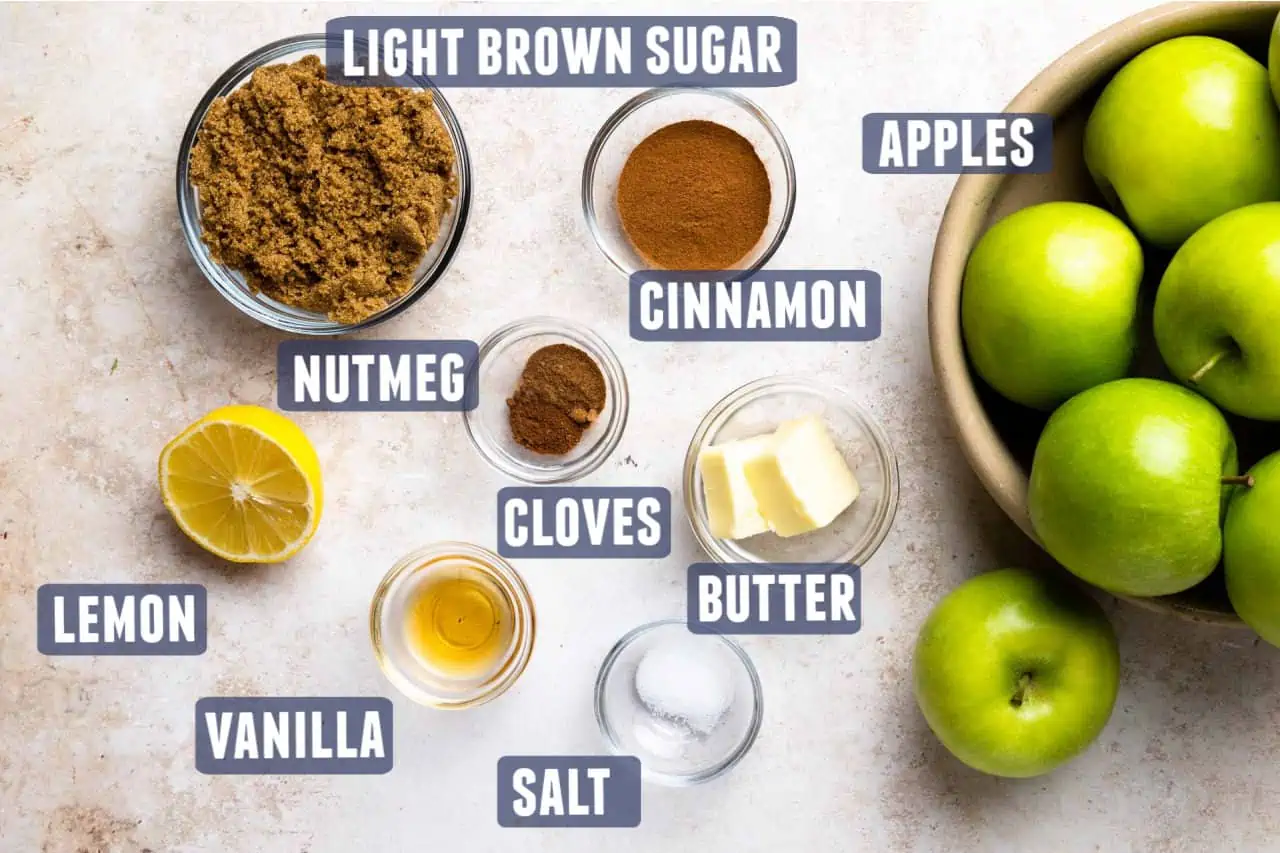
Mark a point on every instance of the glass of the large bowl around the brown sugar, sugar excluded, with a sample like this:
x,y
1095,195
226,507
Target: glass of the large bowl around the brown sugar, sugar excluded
x,y
234,286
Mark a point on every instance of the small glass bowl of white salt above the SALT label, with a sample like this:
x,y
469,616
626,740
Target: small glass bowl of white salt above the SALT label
x,y
679,749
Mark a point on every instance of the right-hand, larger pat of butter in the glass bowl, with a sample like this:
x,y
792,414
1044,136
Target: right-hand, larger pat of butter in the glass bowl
x,y
802,482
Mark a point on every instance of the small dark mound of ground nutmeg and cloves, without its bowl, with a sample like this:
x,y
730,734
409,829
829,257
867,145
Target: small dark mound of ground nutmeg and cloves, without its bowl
x,y
560,395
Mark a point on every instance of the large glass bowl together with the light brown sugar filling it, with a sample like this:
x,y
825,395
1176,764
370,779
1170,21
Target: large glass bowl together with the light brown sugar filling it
x,y
319,208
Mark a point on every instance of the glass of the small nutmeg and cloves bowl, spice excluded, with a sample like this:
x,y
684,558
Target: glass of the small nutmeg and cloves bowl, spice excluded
x,y
502,359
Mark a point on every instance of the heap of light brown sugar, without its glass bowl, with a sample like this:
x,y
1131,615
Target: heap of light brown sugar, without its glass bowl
x,y
324,197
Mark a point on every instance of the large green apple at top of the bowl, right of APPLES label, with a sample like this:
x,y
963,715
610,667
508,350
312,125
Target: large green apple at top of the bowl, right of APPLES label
x,y
1185,133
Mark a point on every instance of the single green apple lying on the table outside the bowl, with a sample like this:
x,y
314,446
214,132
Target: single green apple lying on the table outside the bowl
x,y
1017,673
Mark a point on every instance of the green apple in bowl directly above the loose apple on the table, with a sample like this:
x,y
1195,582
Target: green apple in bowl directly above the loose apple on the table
x,y
1127,486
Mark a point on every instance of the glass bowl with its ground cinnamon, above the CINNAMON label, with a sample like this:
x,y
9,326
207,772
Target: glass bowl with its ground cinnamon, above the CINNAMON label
x,y
689,180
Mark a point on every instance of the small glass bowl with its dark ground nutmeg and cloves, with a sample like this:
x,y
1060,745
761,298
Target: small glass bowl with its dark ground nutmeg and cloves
x,y
554,400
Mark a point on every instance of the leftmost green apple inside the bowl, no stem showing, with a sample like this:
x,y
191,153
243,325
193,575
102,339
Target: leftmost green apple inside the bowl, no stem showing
x,y
1050,303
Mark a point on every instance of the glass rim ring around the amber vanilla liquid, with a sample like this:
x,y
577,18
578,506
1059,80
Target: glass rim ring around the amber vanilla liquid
x,y
523,637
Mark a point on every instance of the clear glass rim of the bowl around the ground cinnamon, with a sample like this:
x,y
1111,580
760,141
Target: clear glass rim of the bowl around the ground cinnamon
x,y
638,102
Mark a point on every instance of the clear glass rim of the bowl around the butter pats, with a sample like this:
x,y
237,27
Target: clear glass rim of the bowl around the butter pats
x,y
860,553
